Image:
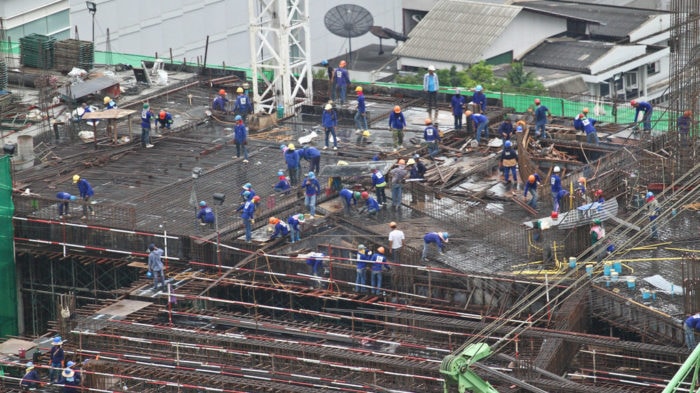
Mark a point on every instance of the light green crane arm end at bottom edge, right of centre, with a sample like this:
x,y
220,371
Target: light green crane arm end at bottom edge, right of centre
x,y
456,369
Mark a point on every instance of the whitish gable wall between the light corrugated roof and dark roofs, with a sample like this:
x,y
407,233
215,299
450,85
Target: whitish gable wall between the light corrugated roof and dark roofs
x,y
525,32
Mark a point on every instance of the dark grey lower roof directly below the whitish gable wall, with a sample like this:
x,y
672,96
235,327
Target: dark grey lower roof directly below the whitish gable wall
x,y
567,55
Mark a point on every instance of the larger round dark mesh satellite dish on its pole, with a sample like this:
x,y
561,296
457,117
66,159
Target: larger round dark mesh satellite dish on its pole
x,y
348,20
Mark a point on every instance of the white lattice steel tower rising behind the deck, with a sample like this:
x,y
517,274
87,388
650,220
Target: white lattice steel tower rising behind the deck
x,y
280,41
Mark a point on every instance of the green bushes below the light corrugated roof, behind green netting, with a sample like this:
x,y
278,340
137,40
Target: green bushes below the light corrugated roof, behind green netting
x,y
480,74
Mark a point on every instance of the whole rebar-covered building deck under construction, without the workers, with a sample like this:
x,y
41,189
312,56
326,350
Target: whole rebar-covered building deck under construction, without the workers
x,y
519,302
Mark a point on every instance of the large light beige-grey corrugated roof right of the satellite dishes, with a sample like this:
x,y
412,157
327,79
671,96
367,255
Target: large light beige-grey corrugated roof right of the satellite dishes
x,y
457,31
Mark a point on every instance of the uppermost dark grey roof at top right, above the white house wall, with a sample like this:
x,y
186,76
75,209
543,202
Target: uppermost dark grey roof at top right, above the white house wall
x,y
615,22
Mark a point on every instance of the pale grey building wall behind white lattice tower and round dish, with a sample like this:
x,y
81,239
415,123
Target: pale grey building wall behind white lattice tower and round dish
x,y
147,27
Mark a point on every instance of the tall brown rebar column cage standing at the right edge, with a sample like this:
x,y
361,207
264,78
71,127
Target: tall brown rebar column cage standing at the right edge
x,y
685,78
